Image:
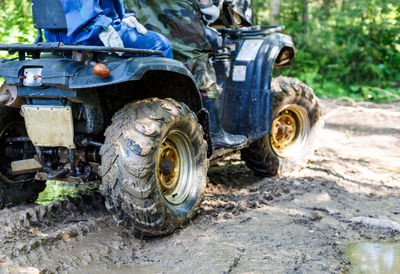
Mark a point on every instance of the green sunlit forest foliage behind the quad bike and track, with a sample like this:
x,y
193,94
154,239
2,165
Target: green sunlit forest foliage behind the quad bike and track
x,y
345,48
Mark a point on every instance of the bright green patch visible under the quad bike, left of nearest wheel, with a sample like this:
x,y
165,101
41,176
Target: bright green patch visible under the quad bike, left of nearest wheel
x,y
57,191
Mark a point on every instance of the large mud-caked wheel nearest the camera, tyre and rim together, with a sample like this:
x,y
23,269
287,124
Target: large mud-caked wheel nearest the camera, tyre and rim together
x,y
154,166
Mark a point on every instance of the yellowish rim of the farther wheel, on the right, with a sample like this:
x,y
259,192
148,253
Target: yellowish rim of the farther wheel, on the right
x,y
290,130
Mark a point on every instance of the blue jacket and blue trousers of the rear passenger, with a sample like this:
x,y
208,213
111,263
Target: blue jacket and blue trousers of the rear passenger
x,y
87,18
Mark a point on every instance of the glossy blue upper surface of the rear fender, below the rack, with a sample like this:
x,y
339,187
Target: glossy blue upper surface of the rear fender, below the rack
x,y
66,73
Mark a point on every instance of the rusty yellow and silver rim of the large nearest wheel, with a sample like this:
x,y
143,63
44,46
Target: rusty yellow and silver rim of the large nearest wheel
x,y
175,167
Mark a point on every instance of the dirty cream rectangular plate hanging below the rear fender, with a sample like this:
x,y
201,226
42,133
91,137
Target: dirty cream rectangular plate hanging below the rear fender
x,y
49,126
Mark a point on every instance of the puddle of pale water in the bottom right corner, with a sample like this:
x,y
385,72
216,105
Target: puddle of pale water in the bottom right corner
x,y
374,257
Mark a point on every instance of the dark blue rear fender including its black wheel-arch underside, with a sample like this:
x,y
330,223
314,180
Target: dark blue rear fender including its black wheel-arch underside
x,y
63,78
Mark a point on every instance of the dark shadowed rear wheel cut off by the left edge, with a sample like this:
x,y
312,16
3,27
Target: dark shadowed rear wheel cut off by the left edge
x,y
18,189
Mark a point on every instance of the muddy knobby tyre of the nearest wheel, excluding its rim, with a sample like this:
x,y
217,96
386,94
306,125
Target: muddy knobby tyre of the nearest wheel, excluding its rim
x,y
133,196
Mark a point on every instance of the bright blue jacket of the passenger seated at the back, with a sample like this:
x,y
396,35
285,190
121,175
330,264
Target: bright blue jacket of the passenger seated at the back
x,y
86,19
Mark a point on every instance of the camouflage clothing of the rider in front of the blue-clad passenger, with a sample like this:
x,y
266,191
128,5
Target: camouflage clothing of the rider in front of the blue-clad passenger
x,y
180,21
